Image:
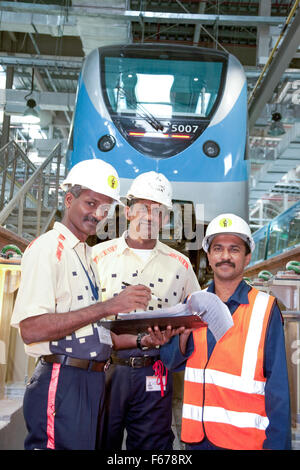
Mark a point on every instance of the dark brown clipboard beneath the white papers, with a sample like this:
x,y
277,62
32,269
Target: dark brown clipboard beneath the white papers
x,y
141,325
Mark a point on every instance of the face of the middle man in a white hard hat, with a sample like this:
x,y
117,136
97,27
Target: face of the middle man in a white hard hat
x,y
146,218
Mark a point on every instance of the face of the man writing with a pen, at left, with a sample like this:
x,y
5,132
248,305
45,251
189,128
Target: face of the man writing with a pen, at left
x,y
84,212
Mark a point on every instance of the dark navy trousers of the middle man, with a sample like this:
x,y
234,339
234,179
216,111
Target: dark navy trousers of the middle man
x,y
146,416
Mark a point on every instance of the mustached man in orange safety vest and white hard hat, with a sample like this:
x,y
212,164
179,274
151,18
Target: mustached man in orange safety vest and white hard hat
x,y
236,392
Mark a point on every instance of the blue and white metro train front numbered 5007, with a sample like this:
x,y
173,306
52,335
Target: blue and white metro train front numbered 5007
x,y
178,110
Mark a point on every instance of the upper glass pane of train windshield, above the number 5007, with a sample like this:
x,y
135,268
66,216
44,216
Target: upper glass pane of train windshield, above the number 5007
x,y
166,88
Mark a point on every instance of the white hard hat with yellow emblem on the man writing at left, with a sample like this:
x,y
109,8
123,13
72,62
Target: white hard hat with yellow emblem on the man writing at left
x,y
94,174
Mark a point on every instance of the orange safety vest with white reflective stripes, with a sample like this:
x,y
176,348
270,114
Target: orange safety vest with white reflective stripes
x,y
224,396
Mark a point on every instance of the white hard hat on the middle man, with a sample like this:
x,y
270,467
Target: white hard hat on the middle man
x,y
152,186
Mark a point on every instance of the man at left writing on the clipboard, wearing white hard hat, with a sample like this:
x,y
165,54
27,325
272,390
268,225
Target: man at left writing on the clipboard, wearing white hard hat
x,y
57,309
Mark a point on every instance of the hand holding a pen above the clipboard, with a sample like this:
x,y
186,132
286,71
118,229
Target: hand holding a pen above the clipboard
x,y
129,299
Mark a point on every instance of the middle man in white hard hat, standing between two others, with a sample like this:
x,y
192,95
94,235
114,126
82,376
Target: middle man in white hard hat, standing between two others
x,y
140,388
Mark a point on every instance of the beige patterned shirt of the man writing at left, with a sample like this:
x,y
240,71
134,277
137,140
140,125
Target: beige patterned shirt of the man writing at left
x,y
54,281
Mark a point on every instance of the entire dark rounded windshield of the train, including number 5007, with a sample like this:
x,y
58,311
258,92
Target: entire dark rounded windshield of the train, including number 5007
x,y
165,97
